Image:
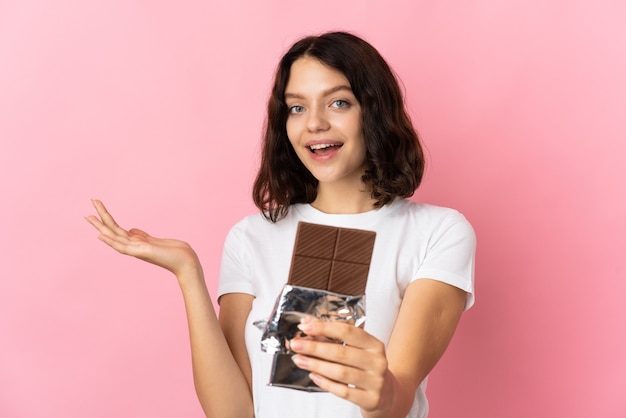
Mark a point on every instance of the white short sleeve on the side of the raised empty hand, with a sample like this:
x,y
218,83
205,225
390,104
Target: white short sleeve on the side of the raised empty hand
x,y
235,275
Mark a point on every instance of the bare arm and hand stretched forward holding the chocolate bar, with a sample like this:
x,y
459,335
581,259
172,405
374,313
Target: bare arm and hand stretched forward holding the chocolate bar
x,y
383,383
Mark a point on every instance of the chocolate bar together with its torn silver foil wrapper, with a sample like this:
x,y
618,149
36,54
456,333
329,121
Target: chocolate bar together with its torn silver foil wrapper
x,y
327,279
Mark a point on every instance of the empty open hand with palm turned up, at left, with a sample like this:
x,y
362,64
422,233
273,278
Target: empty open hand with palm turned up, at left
x,y
173,255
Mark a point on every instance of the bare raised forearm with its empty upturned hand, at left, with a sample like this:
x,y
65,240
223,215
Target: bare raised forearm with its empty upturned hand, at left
x,y
227,396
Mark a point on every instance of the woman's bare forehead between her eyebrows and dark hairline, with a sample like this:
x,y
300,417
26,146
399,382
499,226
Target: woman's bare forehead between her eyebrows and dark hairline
x,y
309,75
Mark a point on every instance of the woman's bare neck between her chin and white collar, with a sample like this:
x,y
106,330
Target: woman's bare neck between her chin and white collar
x,y
338,200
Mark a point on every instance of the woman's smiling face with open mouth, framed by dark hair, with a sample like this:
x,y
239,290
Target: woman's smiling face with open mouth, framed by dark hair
x,y
324,123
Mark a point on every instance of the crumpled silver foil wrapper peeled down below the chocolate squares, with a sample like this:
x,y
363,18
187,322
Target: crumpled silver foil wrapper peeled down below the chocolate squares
x,y
292,304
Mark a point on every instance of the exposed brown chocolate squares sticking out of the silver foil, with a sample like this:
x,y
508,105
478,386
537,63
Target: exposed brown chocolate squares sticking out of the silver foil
x,y
331,258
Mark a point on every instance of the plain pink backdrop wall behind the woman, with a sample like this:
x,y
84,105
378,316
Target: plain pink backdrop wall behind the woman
x,y
157,109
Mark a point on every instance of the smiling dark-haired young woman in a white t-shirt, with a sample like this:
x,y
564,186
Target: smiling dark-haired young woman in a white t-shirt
x,y
339,150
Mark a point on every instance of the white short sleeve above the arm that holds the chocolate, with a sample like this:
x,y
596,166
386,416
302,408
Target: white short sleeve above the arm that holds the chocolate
x,y
450,255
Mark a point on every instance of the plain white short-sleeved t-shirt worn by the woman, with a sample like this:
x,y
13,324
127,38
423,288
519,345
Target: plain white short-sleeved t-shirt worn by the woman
x,y
413,241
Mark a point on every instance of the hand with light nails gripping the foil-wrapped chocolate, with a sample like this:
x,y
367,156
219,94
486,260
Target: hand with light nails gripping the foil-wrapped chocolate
x,y
356,371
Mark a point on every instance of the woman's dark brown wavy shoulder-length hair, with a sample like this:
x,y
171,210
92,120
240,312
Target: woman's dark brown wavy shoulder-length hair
x,y
395,160
